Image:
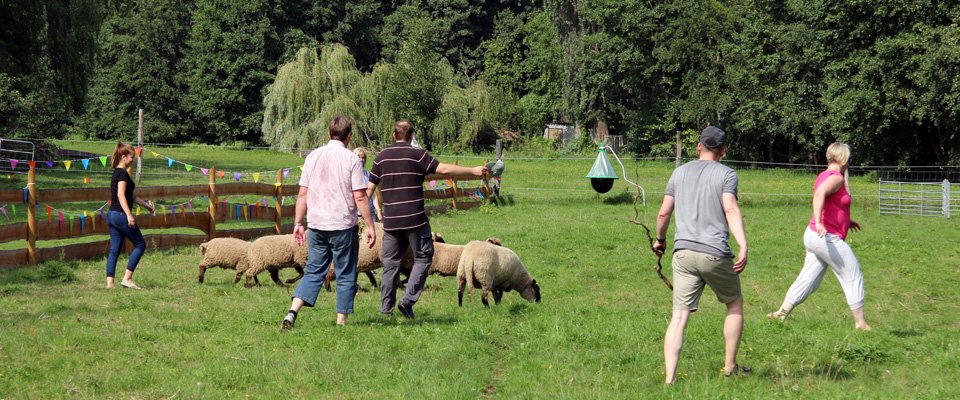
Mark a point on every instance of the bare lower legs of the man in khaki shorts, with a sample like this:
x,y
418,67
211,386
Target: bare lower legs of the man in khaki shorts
x,y
673,339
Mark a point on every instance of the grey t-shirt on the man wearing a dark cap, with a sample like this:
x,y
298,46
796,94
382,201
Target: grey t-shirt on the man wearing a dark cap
x,y
697,188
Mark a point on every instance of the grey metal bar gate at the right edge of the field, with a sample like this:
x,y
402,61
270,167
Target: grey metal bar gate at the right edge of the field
x,y
939,199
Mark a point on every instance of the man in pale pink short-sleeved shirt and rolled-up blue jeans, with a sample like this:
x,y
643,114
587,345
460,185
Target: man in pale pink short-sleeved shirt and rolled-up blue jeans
x,y
332,190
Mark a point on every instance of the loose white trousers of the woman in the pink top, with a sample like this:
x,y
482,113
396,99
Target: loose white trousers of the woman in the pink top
x,y
832,251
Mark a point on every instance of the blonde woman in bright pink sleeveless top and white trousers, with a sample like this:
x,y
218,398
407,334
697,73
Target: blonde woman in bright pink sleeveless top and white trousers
x,y
824,240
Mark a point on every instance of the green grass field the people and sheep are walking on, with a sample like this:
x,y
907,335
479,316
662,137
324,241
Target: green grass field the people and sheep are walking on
x,y
597,334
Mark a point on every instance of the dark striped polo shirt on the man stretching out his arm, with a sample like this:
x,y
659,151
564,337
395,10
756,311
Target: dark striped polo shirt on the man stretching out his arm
x,y
400,170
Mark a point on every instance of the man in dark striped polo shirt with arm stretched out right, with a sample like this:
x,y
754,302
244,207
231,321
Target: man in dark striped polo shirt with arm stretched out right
x,y
400,170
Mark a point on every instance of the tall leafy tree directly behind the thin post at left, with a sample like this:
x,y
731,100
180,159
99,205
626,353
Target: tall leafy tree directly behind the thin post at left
x,y
142,46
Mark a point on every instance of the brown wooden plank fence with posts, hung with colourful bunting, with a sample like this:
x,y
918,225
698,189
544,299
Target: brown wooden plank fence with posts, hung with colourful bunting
x,y
206,221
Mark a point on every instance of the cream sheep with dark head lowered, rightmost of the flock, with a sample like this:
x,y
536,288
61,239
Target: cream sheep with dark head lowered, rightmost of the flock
x,y
494,268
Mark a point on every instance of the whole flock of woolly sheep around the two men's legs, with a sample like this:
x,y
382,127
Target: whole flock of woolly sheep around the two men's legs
x,y
485,265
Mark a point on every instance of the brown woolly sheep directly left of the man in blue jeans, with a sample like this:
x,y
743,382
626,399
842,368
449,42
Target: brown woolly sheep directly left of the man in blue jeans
x,y
271,253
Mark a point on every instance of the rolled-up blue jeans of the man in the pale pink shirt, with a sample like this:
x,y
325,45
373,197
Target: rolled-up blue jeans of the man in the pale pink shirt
x,y
342,247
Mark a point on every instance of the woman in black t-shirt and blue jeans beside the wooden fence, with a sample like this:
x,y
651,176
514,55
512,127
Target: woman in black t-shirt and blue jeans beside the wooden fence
x,y
120,217
